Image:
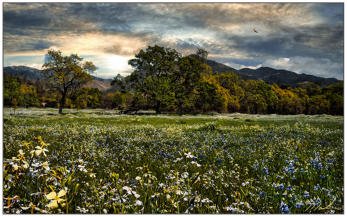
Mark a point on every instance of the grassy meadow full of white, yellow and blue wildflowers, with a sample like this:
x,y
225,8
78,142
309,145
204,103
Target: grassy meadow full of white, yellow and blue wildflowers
x,y
96,161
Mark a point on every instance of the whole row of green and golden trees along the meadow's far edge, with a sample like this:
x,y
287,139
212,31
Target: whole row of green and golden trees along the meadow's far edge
x,y
165,81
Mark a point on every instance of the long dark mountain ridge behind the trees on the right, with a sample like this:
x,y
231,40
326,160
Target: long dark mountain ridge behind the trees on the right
x,y
270,75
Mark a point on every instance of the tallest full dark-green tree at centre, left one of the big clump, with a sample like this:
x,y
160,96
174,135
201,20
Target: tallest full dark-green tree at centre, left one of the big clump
x,y
153,71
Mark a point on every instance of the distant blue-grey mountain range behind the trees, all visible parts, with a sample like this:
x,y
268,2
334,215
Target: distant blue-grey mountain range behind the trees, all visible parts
x,y
267,74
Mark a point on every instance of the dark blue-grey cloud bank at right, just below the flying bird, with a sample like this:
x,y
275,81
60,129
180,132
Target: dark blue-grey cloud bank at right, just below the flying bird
x,y
317,42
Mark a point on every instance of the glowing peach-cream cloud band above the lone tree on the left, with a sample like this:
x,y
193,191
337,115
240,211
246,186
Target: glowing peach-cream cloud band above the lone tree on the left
x,y
83,44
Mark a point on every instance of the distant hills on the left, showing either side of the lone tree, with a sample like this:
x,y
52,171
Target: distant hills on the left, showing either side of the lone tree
x,y
32,74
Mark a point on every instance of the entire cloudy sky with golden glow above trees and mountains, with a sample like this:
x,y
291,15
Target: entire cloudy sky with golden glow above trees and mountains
x,y
301,37
